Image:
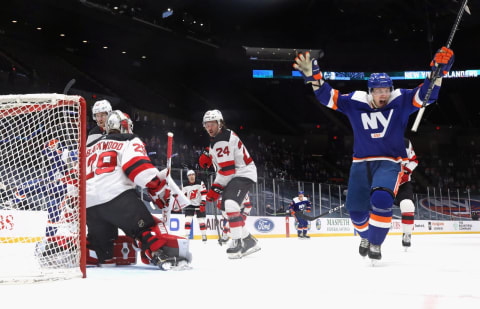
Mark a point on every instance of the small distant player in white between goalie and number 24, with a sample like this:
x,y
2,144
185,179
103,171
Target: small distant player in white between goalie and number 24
x,y
195,190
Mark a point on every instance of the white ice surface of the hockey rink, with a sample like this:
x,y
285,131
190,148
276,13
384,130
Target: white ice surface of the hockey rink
x,y
438,271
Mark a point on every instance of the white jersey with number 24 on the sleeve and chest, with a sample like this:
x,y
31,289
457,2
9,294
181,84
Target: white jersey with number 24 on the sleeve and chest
x,y
231,158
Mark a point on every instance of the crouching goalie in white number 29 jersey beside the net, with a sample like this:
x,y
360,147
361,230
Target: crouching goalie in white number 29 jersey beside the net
x,y
116,163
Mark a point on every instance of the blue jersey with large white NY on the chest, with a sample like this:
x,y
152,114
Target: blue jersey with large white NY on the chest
x,y
378,133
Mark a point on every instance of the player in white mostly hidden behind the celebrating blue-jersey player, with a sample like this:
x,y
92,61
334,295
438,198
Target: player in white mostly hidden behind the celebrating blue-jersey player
x,y
404,196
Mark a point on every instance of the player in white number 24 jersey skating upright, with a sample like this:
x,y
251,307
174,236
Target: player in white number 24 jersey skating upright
x,y
235,174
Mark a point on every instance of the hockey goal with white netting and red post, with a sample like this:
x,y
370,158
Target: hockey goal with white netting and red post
x,y
42,187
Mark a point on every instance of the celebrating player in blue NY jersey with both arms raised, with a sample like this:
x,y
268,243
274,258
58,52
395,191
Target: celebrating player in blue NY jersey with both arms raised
x,y
378,118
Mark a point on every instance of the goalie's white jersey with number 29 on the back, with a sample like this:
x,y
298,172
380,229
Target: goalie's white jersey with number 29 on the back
x,y
116,163
